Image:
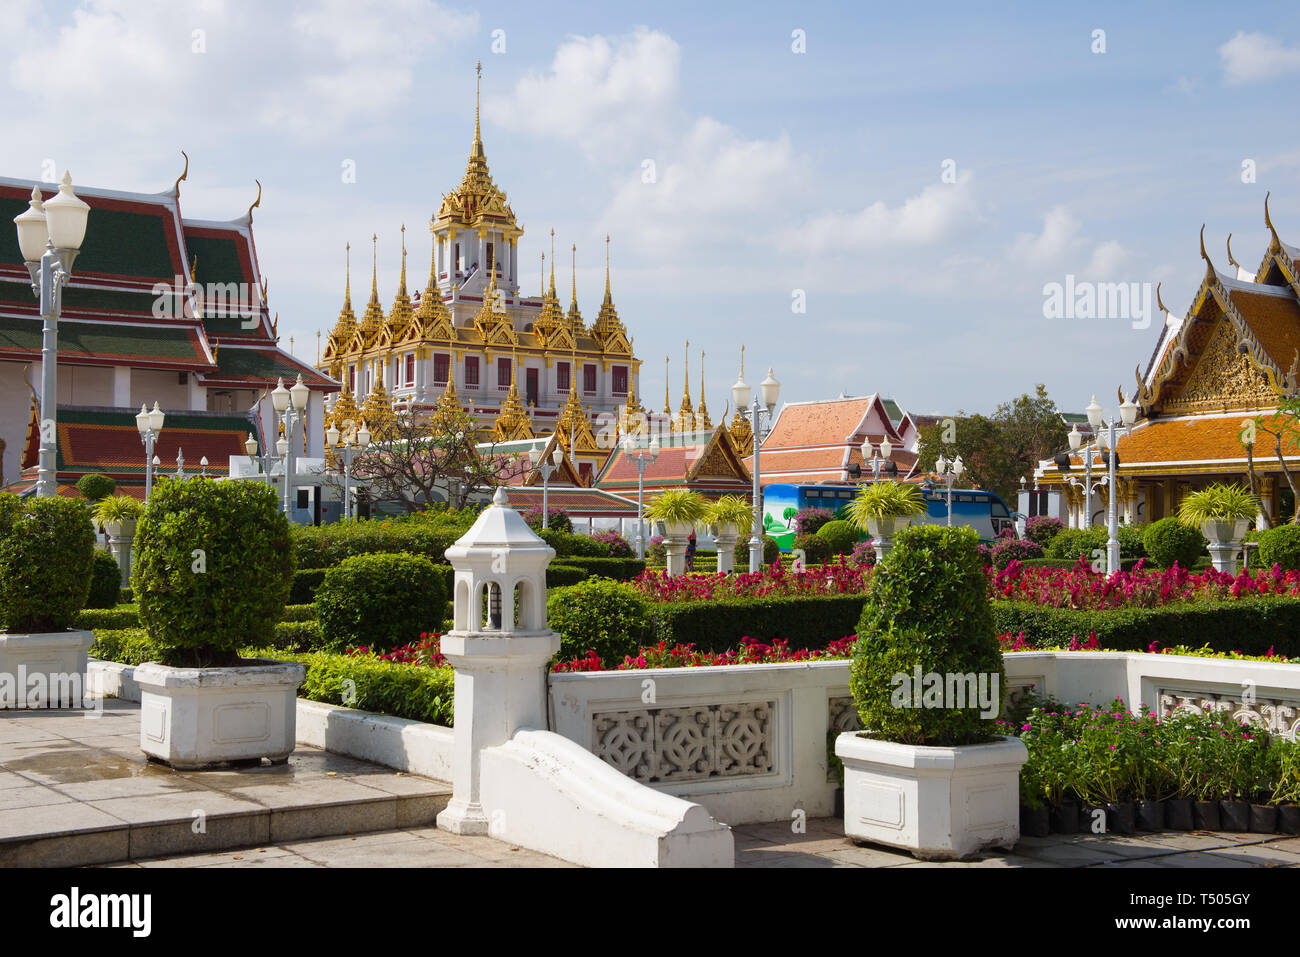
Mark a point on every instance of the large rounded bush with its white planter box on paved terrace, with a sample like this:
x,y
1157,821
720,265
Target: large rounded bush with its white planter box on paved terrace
x,y
213,573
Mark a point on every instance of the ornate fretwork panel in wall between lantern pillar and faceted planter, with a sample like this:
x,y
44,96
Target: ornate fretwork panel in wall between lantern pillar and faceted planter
x,y
688,744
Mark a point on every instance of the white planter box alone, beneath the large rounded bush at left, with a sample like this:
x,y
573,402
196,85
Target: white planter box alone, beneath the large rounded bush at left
x,y
197,718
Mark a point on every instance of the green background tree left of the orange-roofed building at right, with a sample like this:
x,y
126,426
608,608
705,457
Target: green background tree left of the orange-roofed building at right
x,y
998,451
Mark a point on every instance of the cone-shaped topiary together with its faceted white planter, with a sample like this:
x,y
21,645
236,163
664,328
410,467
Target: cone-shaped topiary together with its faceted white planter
x,y
929,773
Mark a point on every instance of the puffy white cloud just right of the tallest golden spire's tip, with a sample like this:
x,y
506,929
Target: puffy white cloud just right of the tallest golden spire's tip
x,y
597,92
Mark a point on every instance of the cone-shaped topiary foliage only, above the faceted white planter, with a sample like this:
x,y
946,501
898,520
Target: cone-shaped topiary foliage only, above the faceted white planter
x,y
928,607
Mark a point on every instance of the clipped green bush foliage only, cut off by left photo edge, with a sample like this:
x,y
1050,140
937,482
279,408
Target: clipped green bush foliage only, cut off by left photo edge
x,y
47,552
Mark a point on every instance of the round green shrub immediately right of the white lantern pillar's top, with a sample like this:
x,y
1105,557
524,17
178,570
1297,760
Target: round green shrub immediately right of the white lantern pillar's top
x,y
599,616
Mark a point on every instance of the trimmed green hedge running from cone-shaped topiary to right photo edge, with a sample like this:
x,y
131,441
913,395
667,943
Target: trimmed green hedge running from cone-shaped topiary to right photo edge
x,y
1251,626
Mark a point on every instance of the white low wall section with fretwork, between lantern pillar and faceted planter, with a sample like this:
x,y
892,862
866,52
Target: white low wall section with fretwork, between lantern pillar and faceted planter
x,y
747,742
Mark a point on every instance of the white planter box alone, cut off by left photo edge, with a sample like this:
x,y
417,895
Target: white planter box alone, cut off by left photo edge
x,y
44,670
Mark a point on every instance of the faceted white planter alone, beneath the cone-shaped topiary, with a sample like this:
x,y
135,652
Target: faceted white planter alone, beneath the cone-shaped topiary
x,y
942,804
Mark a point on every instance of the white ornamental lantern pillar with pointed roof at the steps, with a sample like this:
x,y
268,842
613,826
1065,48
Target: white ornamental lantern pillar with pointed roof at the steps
x,y
500,648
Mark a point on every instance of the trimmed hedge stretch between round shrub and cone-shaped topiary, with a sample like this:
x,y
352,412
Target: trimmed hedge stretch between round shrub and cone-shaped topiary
x,y
721,625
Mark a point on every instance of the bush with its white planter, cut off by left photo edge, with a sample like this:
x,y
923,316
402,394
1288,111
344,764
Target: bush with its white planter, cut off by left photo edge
x,y
47,552
